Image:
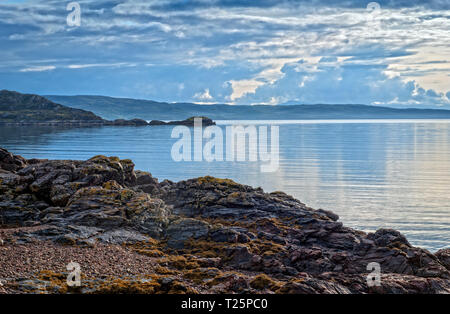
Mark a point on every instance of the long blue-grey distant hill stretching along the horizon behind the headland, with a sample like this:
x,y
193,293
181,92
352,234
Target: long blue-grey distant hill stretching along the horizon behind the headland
x,y
125,108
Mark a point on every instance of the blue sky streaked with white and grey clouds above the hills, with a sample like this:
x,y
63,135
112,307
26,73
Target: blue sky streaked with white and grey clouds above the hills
x,y
240,52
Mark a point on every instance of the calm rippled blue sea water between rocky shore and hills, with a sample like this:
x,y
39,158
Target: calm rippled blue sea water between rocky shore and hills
x,y
374,174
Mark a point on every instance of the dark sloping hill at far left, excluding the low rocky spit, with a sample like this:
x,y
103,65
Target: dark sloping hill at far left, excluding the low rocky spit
x,y
26,108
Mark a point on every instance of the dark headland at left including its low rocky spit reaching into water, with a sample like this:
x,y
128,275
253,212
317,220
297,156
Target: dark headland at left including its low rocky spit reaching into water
x,y
27,109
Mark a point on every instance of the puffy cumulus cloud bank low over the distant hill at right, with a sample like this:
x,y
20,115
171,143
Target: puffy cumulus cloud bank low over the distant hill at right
x,y
344,83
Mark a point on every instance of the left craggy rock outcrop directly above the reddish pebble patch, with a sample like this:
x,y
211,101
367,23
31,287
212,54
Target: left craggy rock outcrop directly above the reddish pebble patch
x,y
90,193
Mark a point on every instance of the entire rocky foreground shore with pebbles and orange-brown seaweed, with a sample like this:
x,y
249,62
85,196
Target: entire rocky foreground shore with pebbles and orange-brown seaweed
x,y
133,234
